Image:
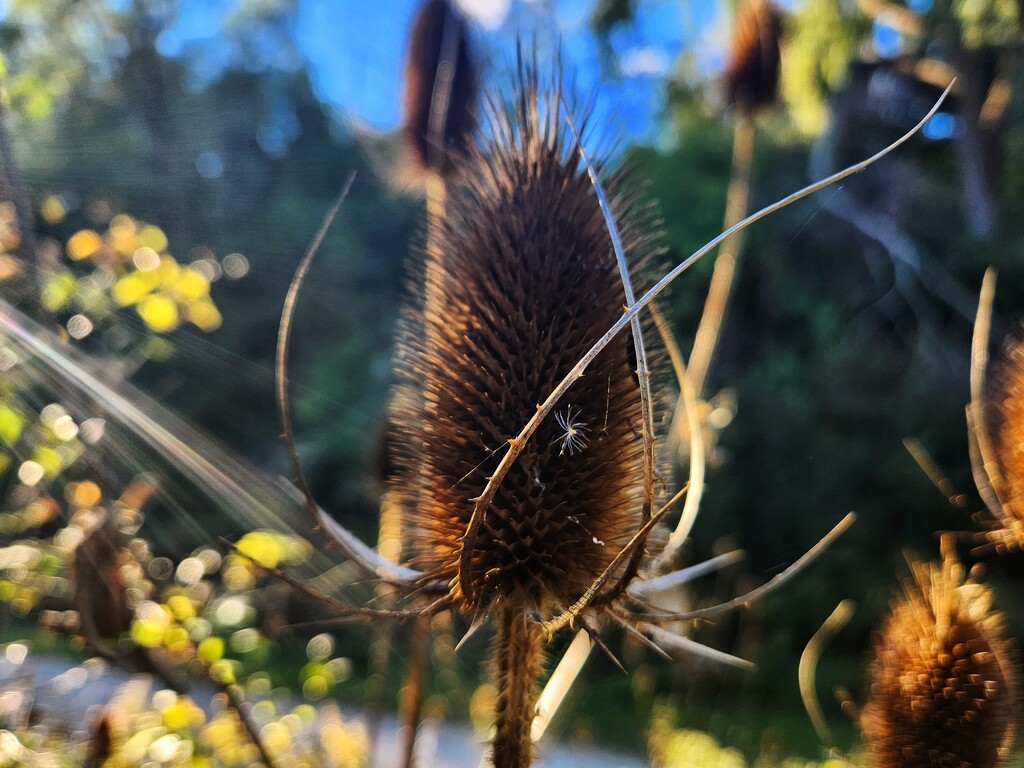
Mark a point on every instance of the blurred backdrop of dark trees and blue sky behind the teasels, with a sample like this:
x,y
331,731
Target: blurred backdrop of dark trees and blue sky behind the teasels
x,y
231,125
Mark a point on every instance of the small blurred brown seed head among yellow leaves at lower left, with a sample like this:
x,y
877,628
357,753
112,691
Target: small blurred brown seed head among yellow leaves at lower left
x,y
99,592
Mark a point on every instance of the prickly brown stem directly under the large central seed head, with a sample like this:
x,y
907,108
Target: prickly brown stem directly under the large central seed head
x,y
519,651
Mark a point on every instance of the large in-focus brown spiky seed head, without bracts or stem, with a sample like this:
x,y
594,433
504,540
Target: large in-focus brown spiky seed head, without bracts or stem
x,y
525,283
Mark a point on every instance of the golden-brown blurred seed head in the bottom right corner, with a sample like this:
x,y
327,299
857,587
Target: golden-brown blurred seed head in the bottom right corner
x,y
943,685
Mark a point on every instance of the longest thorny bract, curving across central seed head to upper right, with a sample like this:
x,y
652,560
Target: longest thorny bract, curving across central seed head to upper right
x,y
518,444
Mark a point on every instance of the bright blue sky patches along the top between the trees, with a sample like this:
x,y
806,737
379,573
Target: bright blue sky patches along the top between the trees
x,y
355,50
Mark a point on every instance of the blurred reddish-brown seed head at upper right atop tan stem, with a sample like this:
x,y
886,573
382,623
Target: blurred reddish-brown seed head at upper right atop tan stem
x,y
752,71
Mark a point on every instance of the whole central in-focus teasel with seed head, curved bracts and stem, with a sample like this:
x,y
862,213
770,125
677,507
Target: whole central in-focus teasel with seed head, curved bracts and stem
x,y
531,485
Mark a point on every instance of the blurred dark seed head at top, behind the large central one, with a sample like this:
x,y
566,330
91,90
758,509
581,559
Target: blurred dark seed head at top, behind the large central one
x,y
441,89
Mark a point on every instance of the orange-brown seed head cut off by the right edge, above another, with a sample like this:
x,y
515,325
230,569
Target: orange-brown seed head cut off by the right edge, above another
x,y
1004,418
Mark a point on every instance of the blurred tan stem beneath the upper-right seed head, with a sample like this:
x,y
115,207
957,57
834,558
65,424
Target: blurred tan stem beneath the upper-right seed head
x,y
737,205
